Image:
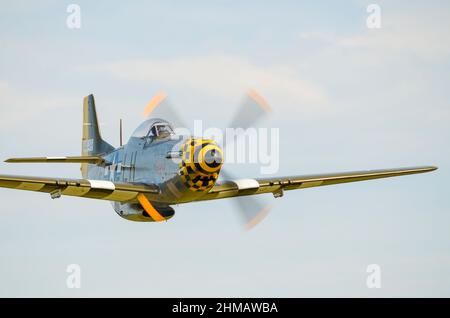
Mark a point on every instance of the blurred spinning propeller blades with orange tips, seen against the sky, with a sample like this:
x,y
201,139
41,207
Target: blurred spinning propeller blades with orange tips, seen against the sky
x,y
253,108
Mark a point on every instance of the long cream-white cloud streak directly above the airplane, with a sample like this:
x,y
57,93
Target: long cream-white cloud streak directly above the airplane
x,y
218,75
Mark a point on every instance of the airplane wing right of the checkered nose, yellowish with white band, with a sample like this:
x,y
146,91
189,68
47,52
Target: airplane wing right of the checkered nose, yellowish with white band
x,y
246,187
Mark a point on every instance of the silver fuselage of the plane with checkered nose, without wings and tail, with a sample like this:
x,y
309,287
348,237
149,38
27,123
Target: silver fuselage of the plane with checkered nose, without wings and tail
x,y
183,167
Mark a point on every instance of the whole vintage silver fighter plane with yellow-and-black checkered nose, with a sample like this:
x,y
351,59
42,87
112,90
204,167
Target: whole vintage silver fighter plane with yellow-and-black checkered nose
x,y
158,169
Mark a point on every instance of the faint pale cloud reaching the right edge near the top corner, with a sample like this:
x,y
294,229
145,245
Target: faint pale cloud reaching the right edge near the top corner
x,y
422,34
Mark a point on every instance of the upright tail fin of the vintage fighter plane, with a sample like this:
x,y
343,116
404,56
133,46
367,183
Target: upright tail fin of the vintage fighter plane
x,y
93,144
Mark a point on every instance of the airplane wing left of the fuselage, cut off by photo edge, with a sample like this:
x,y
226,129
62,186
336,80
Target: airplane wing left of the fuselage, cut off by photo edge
x,y
93,189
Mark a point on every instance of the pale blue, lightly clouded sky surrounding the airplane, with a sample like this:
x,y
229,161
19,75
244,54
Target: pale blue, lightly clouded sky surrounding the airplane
x,y
344,96
